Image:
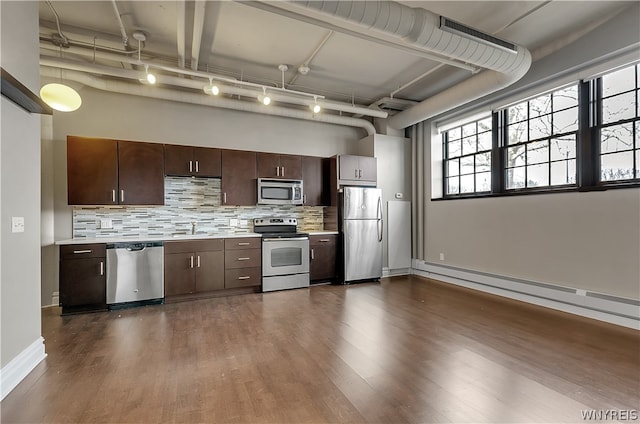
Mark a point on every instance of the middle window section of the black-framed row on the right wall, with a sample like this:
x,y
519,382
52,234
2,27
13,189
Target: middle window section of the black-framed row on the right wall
x,y
541,140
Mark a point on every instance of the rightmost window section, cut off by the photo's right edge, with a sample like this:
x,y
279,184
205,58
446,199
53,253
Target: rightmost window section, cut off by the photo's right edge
x,y
619,125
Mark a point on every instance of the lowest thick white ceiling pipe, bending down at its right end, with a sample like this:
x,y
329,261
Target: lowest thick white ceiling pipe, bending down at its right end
x,y
183,97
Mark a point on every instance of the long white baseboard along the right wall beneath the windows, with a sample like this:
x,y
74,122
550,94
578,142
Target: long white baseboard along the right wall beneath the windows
x,y
612,309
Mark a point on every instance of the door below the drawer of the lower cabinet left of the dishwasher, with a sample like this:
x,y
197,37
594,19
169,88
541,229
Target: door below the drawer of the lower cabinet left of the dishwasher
x,y
83,282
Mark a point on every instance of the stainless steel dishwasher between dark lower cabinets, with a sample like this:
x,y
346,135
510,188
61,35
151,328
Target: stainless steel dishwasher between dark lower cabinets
x,y
135,272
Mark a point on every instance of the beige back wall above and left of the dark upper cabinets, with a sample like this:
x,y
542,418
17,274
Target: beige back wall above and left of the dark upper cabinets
x,y
110,115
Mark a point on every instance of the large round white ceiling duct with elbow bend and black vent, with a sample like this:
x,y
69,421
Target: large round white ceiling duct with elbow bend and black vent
x,y
505,62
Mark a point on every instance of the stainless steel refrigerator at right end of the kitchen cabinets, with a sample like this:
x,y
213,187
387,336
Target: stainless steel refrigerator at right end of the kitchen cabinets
x,y
360,218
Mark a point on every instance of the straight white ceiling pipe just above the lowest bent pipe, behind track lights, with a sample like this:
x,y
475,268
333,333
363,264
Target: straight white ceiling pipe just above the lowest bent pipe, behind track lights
x,y
276,94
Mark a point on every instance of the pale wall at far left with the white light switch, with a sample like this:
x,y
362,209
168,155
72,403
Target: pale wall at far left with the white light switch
x,y
20,197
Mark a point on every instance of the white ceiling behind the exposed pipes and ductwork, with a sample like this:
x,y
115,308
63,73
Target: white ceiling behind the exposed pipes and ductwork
x,y
246,42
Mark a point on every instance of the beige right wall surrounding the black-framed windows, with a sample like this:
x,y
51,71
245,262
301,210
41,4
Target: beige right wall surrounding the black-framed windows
x,y
587,240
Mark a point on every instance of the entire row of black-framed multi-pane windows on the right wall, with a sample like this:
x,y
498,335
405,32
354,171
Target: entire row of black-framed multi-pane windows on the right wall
x,y
585,136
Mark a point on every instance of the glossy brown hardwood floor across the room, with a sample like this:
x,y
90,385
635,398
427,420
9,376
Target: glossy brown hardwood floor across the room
x,y
407,349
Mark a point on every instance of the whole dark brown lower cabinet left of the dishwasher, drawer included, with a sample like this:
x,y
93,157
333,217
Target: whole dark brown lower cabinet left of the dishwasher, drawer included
x,y
83,281
